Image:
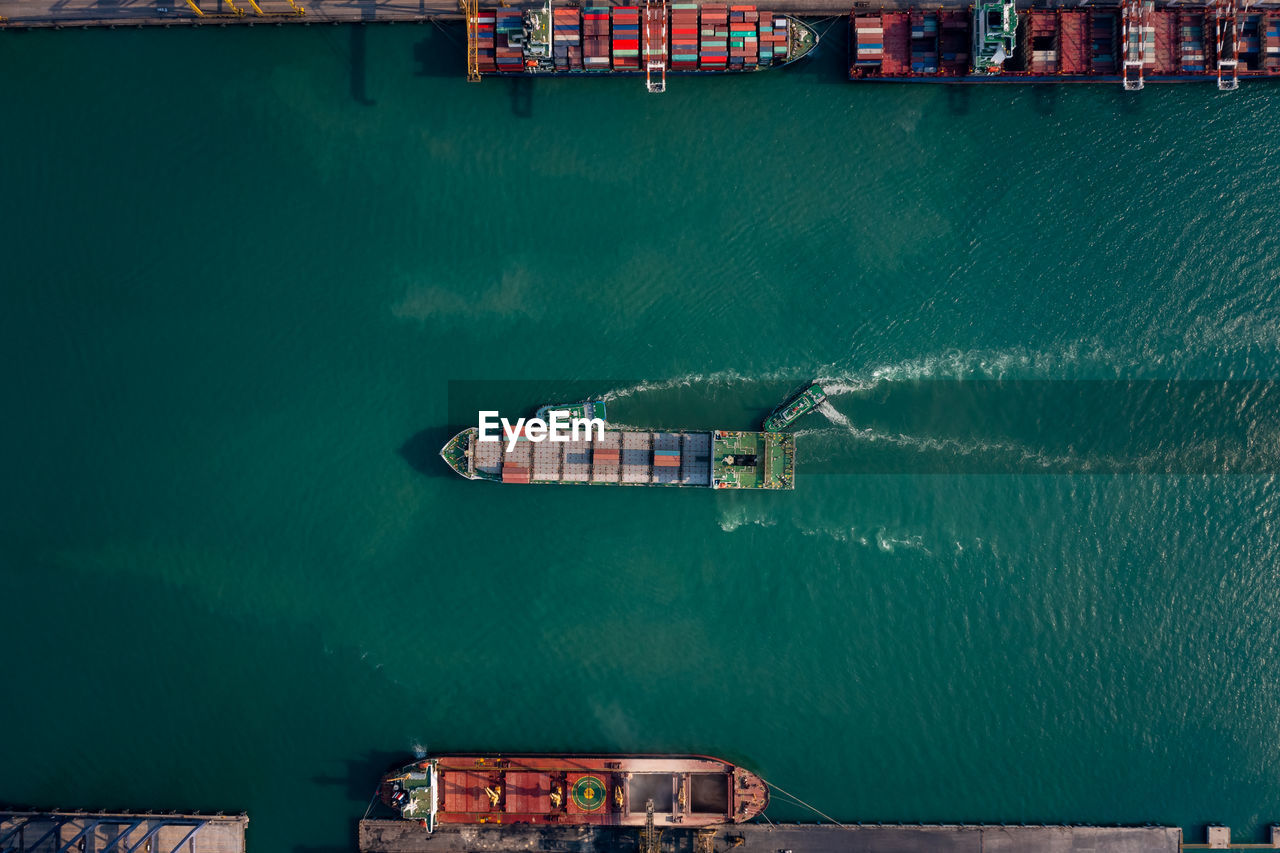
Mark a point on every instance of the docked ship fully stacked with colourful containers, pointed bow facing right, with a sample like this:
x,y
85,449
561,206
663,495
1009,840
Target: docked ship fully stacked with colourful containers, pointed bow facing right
x,y
651,40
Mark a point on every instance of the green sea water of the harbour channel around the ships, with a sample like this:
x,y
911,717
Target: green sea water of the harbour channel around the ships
x,y
253,279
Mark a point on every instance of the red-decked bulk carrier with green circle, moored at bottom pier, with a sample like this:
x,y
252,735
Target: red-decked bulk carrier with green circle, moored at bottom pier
x,y
604,791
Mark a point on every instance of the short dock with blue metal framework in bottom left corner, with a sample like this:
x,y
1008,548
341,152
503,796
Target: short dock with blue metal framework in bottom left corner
x,y
121,832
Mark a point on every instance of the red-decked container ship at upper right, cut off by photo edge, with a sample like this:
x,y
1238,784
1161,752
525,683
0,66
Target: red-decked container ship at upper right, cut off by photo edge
x,y
1132,44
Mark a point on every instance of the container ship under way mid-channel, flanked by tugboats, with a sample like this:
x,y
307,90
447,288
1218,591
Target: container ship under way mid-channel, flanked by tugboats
x,y
711,459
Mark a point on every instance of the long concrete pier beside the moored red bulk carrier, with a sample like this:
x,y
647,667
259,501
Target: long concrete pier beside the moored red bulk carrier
x,y
406,837
